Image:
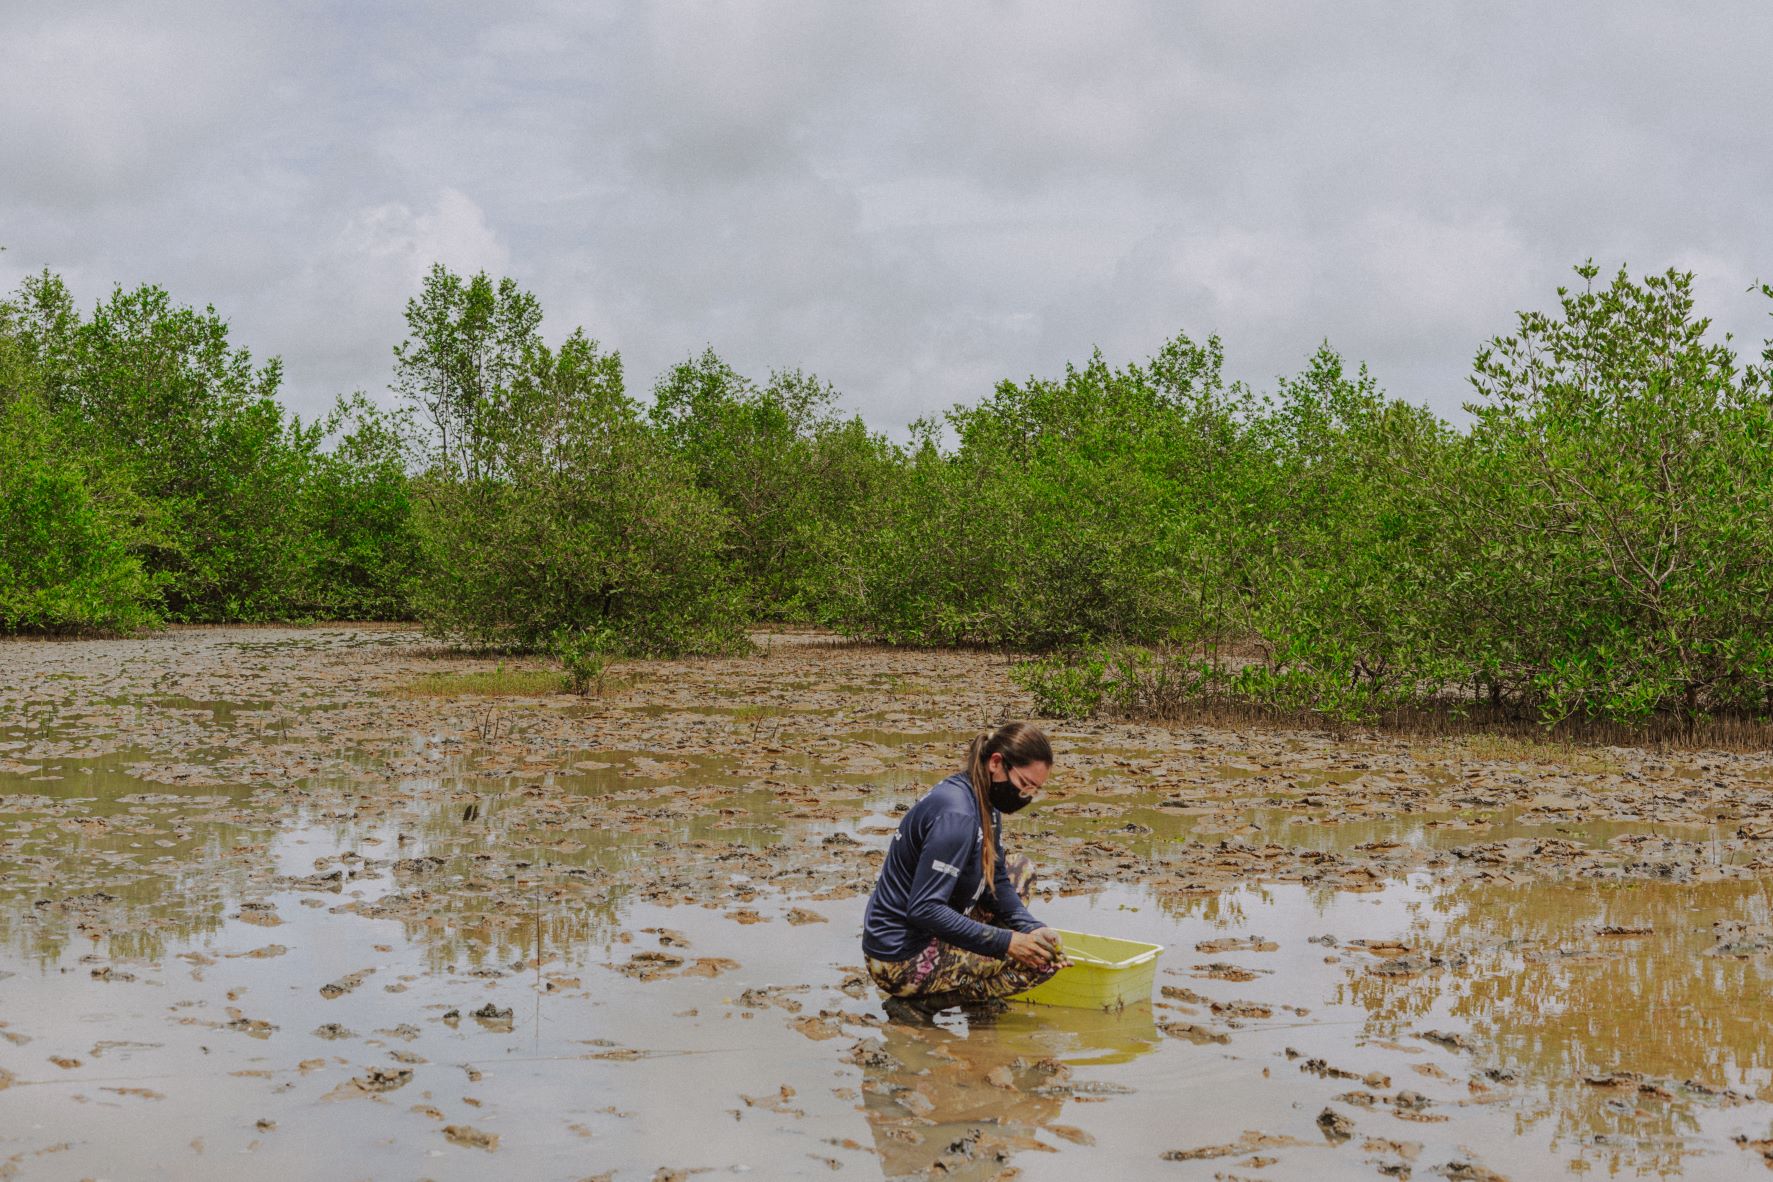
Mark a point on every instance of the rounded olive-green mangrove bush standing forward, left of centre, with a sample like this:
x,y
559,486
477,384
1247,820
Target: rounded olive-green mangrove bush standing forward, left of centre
x,y
554,508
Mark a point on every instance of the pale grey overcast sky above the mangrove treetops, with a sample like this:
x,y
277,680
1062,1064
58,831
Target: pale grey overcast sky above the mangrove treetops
x,y
909,199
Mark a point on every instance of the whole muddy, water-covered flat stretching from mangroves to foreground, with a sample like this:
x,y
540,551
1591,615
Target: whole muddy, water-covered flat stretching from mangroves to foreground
x,y
343,933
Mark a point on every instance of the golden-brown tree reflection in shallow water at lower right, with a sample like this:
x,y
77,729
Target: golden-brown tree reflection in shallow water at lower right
x,y
1634,1006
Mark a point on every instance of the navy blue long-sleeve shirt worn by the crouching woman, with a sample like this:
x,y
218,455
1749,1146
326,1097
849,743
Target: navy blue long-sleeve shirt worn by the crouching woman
x,y
933,875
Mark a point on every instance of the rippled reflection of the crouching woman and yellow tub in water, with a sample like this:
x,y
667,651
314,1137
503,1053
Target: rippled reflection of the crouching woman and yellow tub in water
x,y
964,1103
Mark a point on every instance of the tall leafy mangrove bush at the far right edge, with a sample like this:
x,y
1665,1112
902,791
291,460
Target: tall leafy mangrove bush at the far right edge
x,y
1621,485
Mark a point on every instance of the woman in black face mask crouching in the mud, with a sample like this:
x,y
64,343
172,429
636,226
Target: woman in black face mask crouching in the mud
x,y
946,922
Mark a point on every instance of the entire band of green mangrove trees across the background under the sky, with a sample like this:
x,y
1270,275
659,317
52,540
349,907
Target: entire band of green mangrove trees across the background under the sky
x,y
1598,545
